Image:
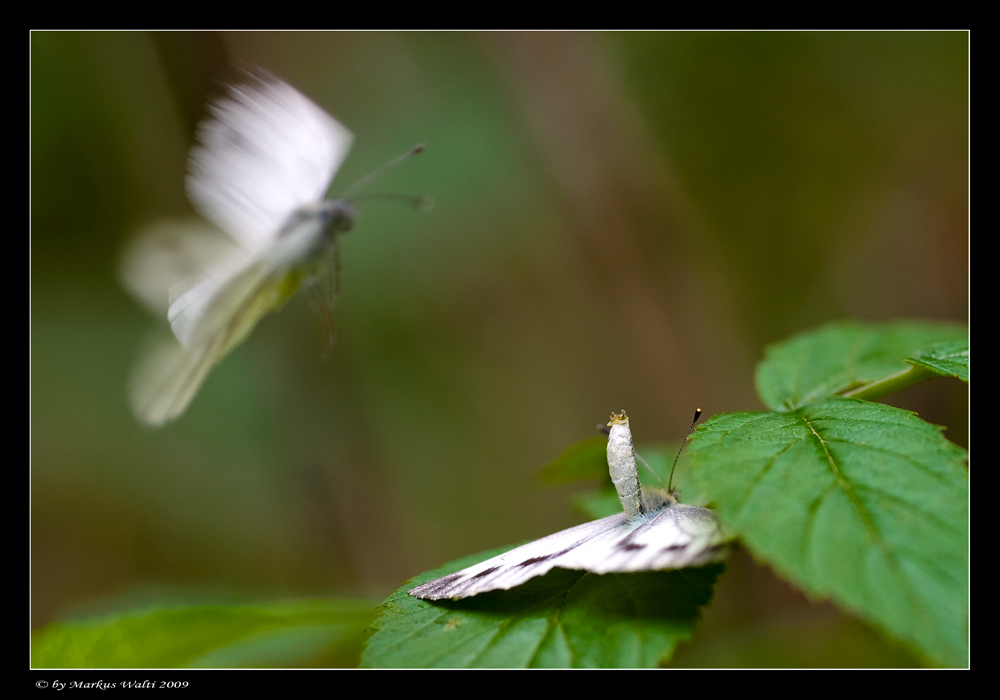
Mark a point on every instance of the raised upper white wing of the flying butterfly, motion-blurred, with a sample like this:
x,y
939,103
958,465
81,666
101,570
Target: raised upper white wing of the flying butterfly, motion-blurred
x,y
265,150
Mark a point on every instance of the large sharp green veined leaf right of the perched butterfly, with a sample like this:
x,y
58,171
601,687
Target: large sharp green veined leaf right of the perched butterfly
x,y
857,501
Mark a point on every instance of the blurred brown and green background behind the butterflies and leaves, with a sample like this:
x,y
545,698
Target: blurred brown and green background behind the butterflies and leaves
x,y
622,221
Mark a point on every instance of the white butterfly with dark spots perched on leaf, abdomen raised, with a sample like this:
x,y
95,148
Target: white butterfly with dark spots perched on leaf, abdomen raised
x,y
655,532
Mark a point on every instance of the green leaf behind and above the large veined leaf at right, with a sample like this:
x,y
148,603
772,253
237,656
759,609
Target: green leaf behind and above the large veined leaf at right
x,y
841,357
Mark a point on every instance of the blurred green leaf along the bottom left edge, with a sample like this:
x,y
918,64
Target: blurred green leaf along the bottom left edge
x,y
283,634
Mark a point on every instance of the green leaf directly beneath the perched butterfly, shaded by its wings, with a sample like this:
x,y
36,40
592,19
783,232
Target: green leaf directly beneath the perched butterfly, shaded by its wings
x,y
561,620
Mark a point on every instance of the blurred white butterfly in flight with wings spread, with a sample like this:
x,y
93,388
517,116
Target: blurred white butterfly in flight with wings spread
x,y
265,159
